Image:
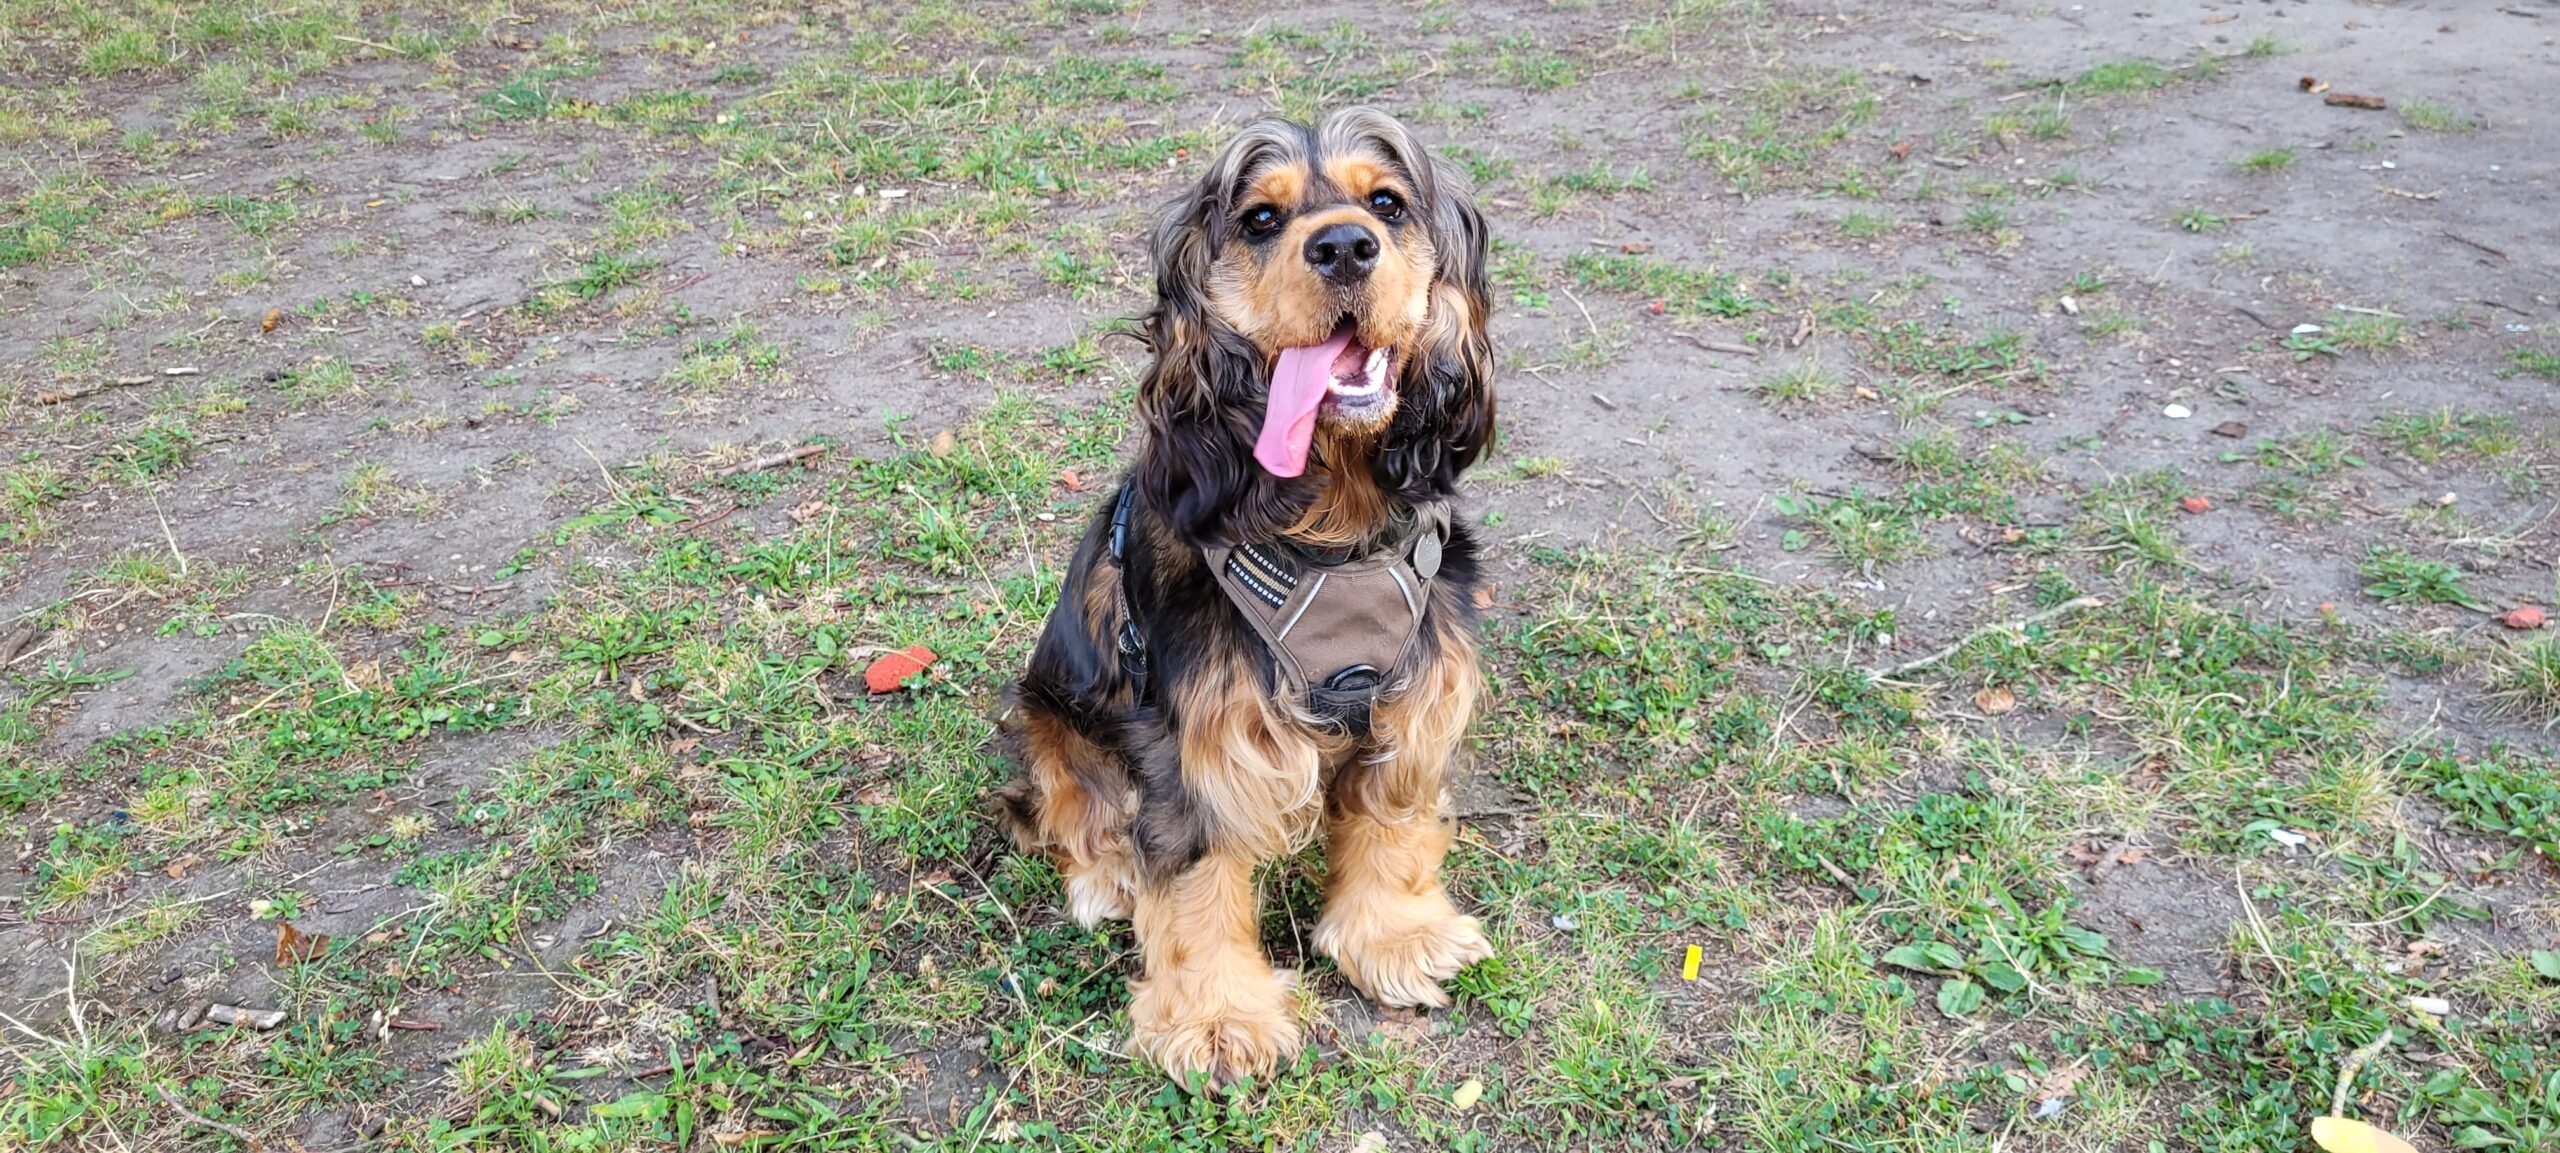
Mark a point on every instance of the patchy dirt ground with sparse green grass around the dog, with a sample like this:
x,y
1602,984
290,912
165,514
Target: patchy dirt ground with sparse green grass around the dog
x,y
388,555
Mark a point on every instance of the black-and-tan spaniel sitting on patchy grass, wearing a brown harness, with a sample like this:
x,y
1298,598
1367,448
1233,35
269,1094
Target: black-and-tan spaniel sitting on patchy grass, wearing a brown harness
x,y
1271,629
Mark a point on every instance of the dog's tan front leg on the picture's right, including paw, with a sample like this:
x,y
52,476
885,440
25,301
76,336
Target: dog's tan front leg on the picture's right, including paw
x,y
1386,913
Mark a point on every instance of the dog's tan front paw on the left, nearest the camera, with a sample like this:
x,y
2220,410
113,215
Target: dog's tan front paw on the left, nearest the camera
x,y
1225,1031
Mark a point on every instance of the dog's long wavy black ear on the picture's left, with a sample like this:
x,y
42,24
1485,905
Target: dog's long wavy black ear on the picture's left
x,y
1204,391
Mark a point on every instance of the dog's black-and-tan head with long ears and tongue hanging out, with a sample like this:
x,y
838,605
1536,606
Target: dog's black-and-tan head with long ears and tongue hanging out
x,y
1320,322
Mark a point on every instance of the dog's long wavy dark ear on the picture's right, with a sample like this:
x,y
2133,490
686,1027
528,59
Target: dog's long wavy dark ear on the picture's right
x,y
1445,419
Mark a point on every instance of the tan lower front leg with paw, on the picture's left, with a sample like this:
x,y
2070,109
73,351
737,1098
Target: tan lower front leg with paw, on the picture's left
x,y
1210,1001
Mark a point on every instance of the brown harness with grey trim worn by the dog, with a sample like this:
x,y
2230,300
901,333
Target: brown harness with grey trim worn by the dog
x,y
1338,626
